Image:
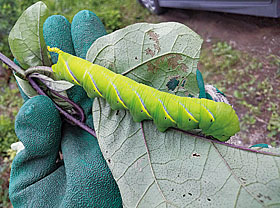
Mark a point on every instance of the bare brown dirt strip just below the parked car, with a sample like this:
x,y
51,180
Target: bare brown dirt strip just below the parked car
x,y
257,35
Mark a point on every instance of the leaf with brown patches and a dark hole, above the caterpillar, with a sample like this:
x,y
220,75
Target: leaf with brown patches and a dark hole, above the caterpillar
x,y
164,56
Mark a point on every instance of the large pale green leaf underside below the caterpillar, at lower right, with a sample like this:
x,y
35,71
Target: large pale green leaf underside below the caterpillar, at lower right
x,y
172,169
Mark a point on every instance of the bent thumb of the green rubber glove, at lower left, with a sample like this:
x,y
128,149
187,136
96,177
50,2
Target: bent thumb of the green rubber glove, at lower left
x,y
38,126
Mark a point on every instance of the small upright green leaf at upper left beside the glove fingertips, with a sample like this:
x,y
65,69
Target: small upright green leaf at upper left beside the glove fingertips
x,y
26,37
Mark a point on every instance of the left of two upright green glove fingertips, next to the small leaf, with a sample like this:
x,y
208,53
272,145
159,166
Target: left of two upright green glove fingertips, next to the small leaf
x,y
57,33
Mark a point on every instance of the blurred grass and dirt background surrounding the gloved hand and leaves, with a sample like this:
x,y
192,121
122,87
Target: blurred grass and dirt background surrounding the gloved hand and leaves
x,y
240,56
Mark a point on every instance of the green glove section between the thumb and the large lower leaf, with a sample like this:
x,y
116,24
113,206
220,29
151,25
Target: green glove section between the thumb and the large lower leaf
x,y
89,179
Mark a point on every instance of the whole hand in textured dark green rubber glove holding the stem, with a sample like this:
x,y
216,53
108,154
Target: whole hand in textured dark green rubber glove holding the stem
x,y
82,178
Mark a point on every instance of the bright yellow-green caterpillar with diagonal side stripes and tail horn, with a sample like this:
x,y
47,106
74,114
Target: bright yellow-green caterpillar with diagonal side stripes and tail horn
x,y
217,119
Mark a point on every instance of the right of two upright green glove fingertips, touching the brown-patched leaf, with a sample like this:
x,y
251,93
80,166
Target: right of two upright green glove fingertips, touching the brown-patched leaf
x,y
85,29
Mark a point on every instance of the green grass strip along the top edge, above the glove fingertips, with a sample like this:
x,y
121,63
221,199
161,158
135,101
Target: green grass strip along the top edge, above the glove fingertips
x,y
113,14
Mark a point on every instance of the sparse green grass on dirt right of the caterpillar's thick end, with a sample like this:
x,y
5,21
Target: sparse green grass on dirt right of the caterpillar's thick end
x,y
251,85
